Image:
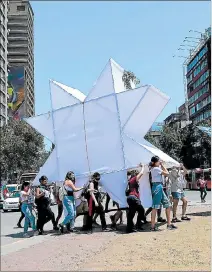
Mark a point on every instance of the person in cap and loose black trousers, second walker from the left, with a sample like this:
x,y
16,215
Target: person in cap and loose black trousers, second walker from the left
x,y
42,200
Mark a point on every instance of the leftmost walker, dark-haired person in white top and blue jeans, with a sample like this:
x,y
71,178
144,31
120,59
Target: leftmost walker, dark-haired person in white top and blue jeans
x,y
26,208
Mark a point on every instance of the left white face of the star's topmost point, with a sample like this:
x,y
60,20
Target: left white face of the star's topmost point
x,y
104,84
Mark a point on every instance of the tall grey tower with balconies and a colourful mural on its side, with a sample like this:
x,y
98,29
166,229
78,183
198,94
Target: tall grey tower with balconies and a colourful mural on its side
x,y
21,57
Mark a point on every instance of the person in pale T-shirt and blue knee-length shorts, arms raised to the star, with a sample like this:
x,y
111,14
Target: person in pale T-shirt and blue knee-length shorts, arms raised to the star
x,y
158,170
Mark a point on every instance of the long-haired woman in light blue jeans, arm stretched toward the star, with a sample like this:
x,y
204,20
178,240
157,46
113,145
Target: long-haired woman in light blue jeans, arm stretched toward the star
x,y
69,202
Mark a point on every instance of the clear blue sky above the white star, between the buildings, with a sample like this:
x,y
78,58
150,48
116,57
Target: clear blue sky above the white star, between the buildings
x,y
73,42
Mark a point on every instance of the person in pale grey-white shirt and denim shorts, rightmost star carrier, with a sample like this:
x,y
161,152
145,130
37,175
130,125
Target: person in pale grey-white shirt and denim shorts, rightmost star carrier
x,y
177,177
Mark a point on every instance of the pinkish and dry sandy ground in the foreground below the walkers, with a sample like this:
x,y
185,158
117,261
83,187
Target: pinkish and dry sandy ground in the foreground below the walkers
x,y
184,249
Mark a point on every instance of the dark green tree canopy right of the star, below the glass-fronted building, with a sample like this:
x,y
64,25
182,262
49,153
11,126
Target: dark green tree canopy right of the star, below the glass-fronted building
x,y
188,145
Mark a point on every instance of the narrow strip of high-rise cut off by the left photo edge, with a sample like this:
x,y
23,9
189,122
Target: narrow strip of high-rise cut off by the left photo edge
x,y
3,62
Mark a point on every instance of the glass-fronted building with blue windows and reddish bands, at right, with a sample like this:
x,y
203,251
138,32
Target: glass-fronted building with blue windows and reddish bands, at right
x,y
199,81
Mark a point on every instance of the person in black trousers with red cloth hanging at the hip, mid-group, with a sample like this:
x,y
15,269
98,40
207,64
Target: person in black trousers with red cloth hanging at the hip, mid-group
x,y
94,202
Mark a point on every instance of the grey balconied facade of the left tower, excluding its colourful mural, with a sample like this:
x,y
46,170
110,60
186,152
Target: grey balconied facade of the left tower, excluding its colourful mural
x,y
21,48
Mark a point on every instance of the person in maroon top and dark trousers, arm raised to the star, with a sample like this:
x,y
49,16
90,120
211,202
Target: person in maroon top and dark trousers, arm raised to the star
x,y
133,200
